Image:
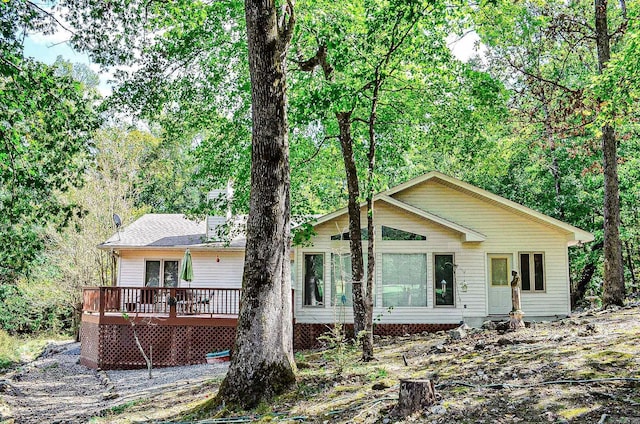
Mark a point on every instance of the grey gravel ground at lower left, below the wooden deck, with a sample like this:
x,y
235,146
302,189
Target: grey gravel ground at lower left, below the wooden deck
x,y
55,388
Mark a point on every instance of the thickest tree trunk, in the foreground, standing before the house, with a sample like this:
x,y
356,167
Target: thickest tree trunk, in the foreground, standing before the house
x,y
262,363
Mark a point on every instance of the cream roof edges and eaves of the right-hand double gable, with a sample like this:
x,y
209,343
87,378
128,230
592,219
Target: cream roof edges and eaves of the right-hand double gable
x,y
577,235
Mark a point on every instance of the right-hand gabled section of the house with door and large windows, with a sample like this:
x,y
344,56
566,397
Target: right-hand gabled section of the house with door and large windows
x,y
445,250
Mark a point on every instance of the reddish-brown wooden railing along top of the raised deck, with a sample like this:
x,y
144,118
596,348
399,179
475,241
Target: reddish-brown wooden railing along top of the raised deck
x,y
161,301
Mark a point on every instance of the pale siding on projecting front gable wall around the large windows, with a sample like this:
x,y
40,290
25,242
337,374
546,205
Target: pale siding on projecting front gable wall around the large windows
x,y
468,257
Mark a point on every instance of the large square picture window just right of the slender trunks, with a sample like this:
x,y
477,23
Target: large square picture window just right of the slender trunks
x,y
404,279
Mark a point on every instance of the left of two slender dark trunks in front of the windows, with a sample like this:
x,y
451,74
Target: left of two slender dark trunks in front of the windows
x,y
355,233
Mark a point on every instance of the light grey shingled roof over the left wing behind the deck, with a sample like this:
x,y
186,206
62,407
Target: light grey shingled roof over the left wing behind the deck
x,y
164,230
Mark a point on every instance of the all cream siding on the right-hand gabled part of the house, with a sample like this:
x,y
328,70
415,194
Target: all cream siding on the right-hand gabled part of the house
x,y
507,231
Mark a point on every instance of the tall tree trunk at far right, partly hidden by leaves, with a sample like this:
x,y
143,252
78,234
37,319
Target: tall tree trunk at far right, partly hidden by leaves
x,y
613,288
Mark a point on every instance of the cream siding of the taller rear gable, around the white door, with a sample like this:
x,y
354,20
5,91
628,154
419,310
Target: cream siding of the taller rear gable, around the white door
x,y
507,231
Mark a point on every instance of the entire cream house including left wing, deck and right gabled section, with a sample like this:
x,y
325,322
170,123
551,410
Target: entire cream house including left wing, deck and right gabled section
x,y
445,250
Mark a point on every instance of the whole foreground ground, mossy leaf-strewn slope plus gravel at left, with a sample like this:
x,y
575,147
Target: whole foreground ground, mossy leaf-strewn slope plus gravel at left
x,y
583,369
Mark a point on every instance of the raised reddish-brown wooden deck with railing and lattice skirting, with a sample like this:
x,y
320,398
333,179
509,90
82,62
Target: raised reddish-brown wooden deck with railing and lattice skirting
x,y
181,325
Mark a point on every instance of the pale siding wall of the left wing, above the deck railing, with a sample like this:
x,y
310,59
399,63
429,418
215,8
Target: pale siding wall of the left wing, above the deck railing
x,y
207,272
